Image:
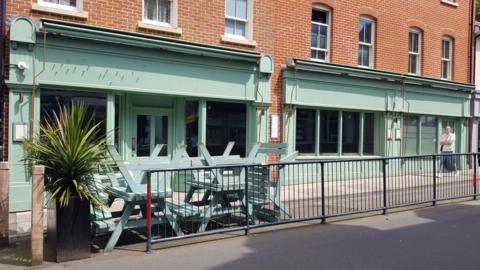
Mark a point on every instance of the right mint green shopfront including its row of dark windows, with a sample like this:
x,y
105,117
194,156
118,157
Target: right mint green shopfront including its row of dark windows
x,y
336,111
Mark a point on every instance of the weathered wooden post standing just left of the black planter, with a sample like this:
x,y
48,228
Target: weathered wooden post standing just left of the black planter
x,y
38,174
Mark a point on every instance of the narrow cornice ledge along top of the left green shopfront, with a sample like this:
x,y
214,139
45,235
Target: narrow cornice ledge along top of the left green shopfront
x,y
78,30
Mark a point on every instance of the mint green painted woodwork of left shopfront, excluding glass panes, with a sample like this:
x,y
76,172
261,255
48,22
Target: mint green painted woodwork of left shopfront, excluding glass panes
x,y
146,74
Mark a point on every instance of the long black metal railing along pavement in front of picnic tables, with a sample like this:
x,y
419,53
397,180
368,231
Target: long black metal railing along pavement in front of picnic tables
x,y
188,202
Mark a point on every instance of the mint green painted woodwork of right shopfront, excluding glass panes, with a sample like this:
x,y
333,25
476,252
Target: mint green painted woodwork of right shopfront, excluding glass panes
x,y
389,96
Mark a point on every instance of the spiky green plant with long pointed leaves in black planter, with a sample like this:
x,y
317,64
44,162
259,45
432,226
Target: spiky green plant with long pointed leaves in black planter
x,y
70,146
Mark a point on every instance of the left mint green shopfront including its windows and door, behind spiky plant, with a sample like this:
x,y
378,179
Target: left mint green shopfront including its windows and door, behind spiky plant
x,y
145,90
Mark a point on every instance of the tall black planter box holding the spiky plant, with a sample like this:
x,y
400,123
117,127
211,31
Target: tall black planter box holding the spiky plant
x,y
68,231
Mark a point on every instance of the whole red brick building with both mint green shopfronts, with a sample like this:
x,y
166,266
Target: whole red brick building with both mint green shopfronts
x,y
342,78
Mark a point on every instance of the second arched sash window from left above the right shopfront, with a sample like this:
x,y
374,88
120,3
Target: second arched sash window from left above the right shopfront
x,y
366,36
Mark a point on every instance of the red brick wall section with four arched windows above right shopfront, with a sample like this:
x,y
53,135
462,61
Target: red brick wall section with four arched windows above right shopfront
x,y
393,19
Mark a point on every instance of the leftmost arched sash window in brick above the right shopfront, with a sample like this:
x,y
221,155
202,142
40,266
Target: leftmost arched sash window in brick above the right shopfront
x,y
320,42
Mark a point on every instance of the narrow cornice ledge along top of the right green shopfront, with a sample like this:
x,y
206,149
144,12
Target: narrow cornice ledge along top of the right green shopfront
x,y
337,69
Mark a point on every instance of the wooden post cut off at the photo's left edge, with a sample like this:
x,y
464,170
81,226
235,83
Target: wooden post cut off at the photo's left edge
x,y
4,183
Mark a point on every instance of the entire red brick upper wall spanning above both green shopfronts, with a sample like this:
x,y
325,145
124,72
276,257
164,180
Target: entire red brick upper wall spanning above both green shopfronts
x,y
282,27
